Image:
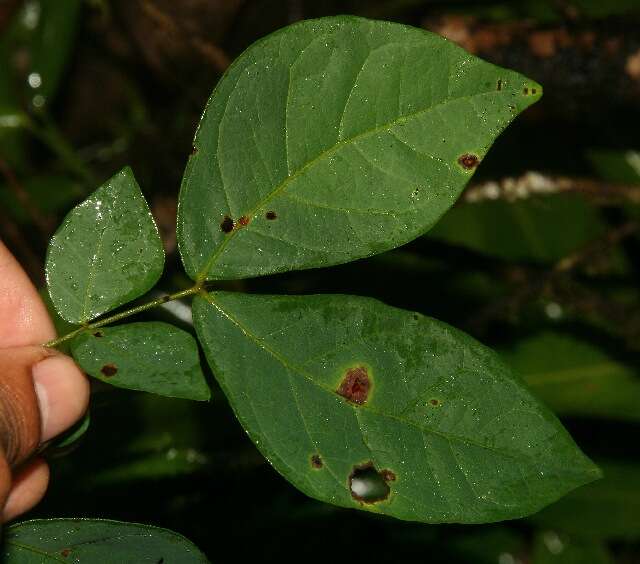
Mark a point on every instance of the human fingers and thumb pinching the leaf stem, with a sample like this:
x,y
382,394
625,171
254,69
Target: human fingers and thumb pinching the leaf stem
x,y
42,392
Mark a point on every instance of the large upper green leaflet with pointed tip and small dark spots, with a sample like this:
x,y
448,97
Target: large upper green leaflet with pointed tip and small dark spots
x,y
335,139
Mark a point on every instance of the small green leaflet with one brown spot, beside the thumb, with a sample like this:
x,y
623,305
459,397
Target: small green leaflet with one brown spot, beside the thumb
x,y
153,357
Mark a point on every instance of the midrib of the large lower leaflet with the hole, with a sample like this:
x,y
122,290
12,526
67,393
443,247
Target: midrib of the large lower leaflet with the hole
x,y
308,376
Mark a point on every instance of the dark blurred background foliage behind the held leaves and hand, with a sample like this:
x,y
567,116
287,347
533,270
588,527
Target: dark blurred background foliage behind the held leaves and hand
x,y
539,260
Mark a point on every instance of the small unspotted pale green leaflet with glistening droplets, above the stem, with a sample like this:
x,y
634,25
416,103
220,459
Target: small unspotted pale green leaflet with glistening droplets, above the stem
x,y
106,253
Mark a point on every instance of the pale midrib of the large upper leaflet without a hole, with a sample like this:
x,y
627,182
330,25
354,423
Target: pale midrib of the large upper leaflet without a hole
x,y
213,257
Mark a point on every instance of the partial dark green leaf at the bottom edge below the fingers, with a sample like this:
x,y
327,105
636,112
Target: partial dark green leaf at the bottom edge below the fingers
x,y
95,540
